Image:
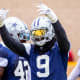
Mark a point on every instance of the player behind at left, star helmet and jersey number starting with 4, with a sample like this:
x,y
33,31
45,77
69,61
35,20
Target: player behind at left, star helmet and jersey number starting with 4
x,y
12,66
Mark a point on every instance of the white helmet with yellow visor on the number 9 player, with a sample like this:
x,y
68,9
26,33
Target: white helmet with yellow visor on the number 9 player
x,y
42,31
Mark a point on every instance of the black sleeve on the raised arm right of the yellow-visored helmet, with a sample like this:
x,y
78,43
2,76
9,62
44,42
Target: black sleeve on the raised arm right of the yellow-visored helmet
x,y
61,36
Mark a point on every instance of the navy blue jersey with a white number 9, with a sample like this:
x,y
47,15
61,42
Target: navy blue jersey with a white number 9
x,y
51,65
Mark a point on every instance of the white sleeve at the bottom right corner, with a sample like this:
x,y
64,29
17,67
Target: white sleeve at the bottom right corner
x,y
75,72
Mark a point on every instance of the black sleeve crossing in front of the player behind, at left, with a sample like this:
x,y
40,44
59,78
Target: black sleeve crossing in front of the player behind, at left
x,y
11,43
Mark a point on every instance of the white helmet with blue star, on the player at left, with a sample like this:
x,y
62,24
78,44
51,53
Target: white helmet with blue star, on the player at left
x,y
17,29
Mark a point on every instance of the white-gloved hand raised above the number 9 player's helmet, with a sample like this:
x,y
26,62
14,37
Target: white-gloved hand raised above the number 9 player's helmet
x,y
43,9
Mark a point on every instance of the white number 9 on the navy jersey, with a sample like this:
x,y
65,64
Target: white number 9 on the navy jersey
x,y
43,66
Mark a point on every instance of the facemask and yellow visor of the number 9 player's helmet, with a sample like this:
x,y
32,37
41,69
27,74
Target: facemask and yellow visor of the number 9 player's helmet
x,y
38,36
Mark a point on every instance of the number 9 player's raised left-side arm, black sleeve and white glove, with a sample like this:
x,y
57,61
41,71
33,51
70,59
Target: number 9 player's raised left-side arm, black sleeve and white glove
x,y
15,46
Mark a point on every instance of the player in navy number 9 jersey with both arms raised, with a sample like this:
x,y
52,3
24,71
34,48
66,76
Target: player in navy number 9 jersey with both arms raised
x,y
48,55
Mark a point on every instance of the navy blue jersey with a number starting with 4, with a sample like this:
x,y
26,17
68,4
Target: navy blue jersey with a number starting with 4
x,y
17,68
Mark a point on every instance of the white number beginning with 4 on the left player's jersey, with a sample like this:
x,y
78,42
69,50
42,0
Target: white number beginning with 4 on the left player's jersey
x,y
19,70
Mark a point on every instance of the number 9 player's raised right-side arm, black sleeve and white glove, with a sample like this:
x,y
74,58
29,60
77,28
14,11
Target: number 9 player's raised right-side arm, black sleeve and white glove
x,y
59,31
